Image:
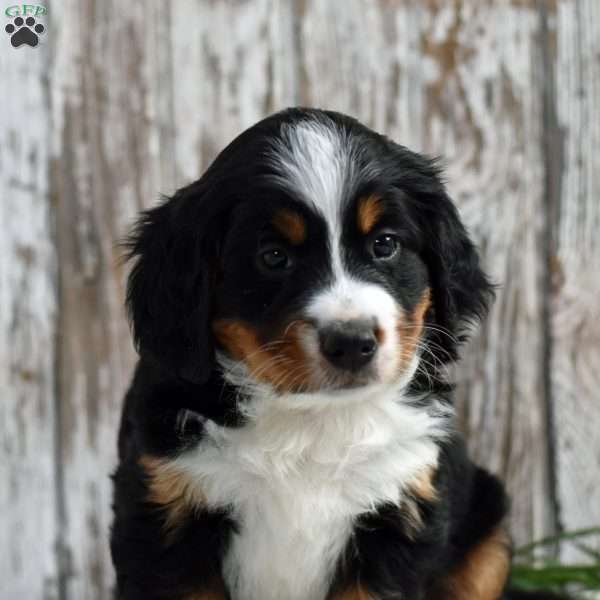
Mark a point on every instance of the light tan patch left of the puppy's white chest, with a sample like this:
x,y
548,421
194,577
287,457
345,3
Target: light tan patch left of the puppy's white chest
x,y
172,491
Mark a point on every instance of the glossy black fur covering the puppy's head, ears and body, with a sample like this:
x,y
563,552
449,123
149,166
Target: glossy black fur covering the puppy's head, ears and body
x,y
188,267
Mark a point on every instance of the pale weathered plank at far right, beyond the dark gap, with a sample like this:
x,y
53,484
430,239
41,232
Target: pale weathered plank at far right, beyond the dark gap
x,y
575,372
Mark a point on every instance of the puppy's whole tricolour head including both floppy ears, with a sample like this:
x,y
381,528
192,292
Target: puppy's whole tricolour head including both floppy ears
x,y
314,254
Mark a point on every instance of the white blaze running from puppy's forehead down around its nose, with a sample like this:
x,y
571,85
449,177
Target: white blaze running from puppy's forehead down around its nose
x,y
319,162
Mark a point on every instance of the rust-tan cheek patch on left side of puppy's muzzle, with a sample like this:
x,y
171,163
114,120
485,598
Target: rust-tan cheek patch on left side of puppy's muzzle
x,y
281,363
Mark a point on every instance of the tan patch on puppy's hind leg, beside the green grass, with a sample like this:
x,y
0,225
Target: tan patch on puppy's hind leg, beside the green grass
x,y
483,573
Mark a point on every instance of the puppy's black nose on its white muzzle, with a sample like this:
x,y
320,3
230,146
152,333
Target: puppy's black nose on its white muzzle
x,y
348,345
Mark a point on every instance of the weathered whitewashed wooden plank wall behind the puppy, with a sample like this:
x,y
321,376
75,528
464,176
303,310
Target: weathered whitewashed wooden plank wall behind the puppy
x,y
123,101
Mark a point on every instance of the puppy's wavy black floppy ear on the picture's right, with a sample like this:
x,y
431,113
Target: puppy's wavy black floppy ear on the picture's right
x,y
461,290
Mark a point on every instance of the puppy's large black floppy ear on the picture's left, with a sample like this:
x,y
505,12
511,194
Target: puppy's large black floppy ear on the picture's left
x,y
168,292
